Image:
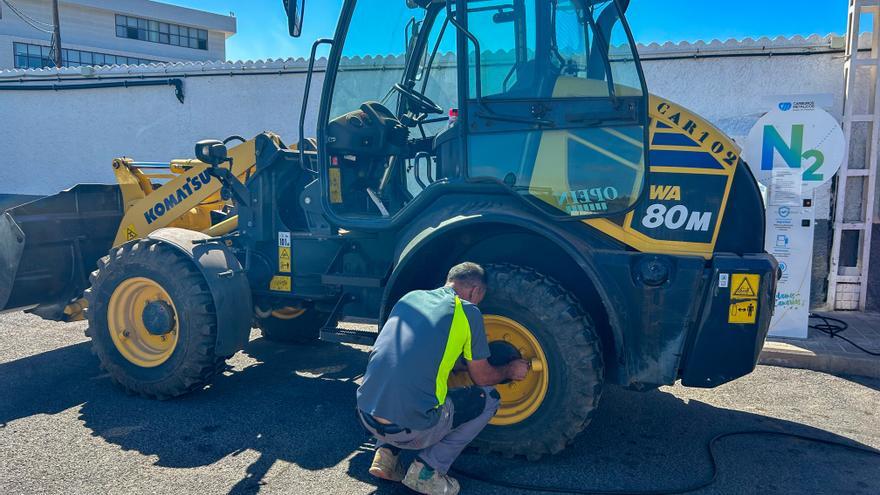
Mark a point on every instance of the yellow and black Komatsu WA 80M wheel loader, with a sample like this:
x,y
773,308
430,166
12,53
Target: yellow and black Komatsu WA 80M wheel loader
x,y
623,235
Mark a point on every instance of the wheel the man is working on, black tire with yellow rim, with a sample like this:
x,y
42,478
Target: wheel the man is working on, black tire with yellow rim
x,y
535,314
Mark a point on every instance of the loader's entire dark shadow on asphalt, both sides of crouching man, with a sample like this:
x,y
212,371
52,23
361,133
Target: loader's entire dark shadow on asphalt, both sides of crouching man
x,y
297,405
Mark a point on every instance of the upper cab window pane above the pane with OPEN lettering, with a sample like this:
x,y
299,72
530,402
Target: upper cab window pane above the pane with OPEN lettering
x,y
576,60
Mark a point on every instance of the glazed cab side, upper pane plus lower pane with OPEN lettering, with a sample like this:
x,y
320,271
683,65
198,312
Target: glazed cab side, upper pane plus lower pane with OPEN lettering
x,y
556,105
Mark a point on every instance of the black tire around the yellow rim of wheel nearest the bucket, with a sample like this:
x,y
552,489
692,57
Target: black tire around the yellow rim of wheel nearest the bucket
x,y
193,363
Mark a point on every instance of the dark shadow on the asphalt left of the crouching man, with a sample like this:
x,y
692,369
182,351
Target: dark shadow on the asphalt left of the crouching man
x,y
296,404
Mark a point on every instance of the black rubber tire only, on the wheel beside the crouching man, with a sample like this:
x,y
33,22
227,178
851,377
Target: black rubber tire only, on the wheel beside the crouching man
x,y
574,359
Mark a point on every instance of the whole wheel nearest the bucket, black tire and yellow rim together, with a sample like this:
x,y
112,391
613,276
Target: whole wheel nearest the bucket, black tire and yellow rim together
x,y
186,366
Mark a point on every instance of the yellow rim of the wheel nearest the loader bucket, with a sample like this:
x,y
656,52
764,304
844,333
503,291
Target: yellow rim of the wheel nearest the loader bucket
x,y
126,323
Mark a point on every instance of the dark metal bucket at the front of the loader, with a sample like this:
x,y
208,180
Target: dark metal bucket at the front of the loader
x,y
48,247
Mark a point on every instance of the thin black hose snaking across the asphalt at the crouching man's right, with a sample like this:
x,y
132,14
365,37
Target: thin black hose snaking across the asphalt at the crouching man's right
x,y
711,447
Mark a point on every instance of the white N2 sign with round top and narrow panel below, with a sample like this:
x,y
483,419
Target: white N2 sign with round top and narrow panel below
x,y
793,149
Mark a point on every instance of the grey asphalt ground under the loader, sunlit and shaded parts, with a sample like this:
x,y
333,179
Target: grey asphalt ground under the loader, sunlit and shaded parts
x,y
281,420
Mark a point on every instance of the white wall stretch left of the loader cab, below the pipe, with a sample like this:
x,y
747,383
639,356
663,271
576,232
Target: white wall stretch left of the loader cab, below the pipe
x,y
55,140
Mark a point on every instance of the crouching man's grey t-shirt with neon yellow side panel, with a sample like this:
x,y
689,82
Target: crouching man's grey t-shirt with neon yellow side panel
x,y
424,336
